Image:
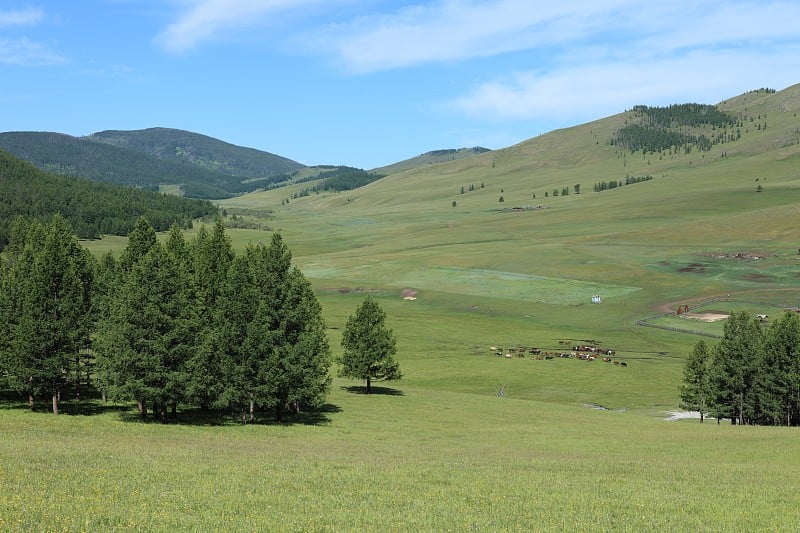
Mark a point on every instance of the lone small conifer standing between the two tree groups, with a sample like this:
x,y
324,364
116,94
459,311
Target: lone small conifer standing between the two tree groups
x,y
369,347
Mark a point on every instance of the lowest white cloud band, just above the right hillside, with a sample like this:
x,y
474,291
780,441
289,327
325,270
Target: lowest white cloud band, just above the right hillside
x,y
584,92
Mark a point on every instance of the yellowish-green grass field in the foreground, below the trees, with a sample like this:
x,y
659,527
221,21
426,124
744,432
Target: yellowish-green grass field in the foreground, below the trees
x,y
415,459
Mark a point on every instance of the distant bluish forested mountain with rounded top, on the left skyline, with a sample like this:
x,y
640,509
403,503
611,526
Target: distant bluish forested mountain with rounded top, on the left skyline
x,y
201,166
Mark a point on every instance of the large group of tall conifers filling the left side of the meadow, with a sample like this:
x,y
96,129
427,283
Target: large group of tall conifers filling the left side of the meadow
x,y
170,323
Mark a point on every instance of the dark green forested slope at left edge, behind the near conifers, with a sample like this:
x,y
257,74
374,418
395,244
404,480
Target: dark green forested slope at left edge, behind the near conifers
x,y
93,209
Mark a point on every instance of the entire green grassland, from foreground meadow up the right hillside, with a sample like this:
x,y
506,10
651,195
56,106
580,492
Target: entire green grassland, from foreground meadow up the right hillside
x,y
571,445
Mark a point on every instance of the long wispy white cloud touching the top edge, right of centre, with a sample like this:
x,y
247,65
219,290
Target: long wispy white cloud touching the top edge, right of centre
x,y
461,29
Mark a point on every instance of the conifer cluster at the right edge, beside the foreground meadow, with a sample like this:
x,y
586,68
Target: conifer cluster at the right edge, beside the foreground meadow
x,y
752,376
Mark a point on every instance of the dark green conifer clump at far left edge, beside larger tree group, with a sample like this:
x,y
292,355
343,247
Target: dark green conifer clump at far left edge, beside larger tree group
x,y
46,311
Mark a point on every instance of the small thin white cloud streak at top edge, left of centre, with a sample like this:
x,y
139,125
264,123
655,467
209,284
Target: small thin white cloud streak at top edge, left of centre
x,y
202,20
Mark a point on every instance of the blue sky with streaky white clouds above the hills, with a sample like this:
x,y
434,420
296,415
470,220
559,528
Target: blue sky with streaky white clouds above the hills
x,y
368,83
